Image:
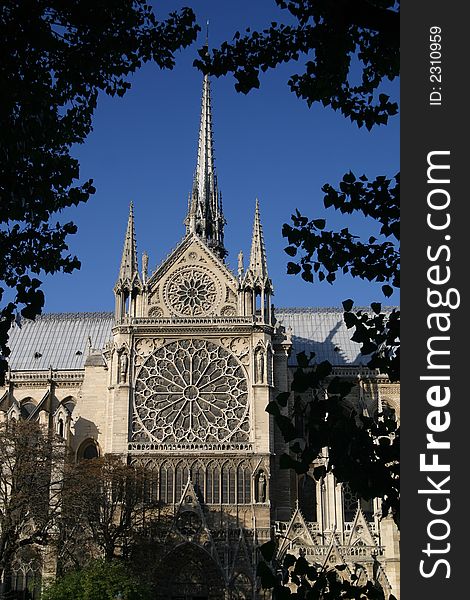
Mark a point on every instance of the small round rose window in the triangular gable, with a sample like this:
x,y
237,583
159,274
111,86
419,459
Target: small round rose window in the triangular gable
x,y
191,292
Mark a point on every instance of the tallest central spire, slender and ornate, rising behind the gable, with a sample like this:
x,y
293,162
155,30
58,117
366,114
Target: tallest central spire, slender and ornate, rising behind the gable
x,y
205,216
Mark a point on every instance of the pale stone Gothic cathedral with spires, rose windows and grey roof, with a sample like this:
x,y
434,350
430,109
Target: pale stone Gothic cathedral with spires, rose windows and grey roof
x,y
177,379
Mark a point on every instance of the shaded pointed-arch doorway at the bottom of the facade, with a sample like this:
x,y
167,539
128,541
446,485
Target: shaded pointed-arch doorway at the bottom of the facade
x,y
189,573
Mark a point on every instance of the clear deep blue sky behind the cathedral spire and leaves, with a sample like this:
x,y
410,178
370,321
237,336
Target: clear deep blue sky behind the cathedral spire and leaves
x,y
268,144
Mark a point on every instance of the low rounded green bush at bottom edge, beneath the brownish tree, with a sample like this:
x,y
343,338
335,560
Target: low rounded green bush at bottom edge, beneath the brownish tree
x,y
99,580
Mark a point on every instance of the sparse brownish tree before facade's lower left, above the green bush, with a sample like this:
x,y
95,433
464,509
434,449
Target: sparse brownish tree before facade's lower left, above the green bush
x,y
107,510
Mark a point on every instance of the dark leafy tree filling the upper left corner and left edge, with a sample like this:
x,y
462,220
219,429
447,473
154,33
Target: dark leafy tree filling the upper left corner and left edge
x,y
56,58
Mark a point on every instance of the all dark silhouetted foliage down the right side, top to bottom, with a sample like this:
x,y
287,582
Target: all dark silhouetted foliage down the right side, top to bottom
x,y
338,39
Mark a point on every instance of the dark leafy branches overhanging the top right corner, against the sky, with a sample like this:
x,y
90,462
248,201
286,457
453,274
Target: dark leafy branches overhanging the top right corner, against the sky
x,y
352,46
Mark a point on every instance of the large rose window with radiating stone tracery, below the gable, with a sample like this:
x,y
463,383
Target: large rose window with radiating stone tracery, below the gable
x,y
191,391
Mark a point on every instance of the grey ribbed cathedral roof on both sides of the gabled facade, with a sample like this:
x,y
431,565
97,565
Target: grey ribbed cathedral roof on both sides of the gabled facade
x,y
60,340
